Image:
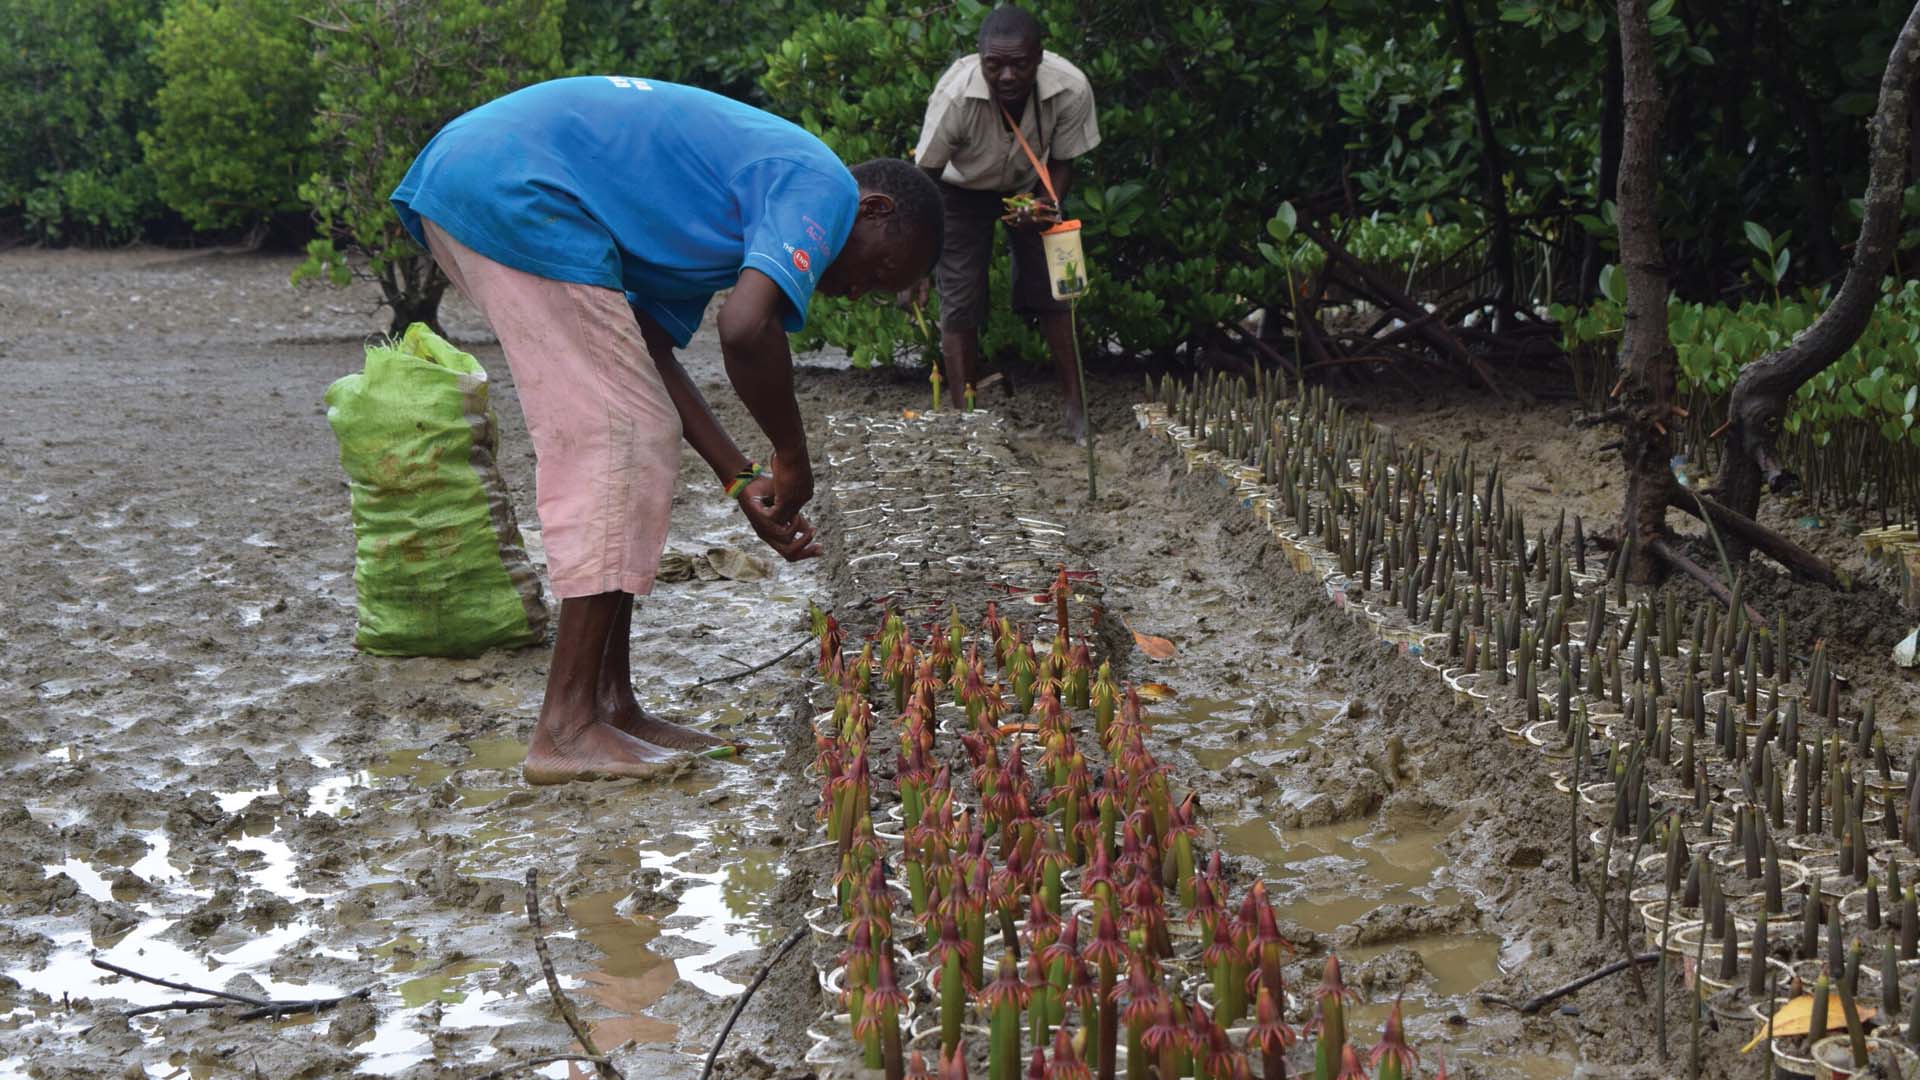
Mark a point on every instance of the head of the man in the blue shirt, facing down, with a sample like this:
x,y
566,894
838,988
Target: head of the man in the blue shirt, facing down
x,y
898,233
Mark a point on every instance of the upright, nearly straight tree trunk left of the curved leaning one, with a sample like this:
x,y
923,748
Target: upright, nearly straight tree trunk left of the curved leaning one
x,y
1646,351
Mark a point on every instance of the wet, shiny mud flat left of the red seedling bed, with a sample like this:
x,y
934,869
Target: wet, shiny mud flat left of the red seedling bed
x,y
208,783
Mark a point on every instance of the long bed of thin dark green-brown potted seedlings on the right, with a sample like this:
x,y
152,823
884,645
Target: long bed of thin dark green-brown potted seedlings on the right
x,y
1742,802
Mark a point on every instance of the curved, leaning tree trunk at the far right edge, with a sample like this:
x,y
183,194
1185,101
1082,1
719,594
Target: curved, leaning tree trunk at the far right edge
x,y
1765,387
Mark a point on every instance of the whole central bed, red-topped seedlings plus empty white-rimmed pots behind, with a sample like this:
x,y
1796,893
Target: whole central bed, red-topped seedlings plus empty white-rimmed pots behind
x,y
1011,883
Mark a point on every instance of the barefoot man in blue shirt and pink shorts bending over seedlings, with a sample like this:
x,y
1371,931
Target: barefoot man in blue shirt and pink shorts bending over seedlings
x,y
592,220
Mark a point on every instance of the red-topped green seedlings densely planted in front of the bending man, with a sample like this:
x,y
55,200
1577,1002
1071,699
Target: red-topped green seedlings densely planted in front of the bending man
x,y
1026,895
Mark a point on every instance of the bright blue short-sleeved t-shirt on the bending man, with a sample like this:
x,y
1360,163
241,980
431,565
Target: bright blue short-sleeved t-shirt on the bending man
x,y
663,191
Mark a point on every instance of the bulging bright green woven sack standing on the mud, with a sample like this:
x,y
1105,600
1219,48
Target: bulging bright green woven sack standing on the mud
x,y
439,564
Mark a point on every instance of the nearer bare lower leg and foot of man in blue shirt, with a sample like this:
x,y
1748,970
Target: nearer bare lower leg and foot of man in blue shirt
x,y
571,739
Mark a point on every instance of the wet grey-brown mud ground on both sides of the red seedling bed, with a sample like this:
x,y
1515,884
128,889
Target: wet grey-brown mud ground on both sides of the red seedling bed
x,y
206,781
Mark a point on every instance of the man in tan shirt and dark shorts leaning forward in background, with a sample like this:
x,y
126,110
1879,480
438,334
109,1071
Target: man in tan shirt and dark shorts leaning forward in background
x,y
969,145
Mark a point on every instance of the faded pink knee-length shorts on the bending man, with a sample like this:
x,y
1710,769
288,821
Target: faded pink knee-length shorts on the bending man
x,y
606,431
